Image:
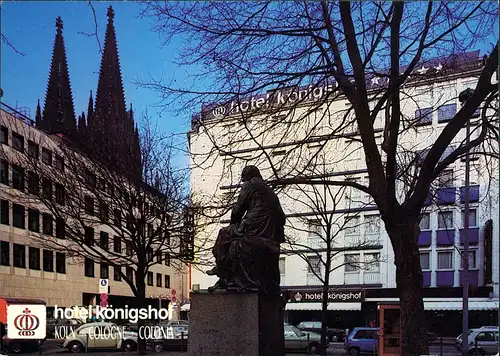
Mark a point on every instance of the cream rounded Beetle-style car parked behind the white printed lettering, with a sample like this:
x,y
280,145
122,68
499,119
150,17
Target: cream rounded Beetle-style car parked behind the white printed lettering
x,y
100,335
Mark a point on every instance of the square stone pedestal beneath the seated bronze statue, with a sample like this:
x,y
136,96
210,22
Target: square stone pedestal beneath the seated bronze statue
x,y
236,324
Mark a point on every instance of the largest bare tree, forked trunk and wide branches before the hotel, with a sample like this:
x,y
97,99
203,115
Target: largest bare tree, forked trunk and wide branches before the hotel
x,y
371,56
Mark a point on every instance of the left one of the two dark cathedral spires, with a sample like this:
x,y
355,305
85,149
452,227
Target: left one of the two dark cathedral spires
x,y
58,112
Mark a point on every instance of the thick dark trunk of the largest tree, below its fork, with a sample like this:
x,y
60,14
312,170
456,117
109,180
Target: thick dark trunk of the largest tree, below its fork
x,y
404,237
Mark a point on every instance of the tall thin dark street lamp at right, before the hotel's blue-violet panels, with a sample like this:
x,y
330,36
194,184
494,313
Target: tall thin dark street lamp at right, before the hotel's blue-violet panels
x,y
463,97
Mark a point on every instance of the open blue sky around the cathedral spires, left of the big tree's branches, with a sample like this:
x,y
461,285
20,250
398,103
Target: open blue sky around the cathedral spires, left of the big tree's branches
x,y
30,27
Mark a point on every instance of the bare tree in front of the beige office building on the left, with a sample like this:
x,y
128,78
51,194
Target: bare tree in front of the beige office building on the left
x,y
141,219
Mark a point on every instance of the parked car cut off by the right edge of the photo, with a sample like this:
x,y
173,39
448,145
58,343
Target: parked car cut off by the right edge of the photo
x,y
483,341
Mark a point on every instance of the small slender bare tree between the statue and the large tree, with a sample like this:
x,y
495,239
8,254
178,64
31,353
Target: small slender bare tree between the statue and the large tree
x,y
333,236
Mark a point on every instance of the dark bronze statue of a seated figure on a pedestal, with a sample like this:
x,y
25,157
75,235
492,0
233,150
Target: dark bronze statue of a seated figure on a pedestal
x,y
247,251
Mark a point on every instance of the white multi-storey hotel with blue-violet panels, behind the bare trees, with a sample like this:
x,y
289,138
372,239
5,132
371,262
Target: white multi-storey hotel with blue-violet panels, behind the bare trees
x,y
433,102
